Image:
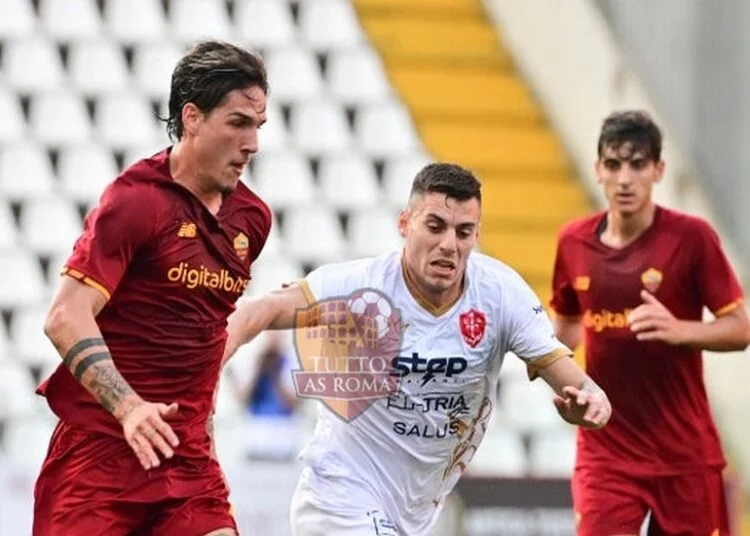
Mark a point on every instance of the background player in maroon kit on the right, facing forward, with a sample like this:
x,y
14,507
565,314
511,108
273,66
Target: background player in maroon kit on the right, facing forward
x,y
633,280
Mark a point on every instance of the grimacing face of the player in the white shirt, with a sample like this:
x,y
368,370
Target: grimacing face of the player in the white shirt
x,y
439,233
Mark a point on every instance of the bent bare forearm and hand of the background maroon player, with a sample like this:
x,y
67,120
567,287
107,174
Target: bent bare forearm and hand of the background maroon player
x,y
653,321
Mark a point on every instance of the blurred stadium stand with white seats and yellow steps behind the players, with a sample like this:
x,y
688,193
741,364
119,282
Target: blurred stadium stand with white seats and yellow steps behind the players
x,y
363,93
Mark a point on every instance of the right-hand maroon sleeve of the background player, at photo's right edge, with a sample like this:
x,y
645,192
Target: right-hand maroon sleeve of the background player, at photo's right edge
x,y
717,282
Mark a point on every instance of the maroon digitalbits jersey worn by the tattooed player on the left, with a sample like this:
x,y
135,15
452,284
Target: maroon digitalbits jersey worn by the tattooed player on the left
x,y
171,272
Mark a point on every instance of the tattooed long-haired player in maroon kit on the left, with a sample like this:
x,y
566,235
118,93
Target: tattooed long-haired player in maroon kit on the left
x,y
140,317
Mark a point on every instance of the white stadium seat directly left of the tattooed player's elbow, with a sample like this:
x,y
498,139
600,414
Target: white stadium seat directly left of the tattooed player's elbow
x,y
32,346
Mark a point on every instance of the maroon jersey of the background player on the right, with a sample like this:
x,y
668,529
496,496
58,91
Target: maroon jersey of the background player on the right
x,y
661,421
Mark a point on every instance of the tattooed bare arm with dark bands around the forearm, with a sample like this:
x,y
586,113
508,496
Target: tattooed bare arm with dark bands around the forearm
x,y
72,328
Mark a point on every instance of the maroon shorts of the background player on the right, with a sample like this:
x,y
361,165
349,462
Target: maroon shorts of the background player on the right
x,y
607,502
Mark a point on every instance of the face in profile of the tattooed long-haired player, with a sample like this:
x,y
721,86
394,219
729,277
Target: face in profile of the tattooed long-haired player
x,y
226,138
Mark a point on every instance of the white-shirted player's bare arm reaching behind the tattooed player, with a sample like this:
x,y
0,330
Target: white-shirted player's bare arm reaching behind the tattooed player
x,y
274,310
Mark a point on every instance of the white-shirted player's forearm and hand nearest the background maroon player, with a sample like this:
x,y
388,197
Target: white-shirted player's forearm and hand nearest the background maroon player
x,y
579,400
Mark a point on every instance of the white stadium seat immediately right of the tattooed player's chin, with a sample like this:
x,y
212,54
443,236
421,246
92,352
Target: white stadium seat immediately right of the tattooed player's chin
x,y
284,180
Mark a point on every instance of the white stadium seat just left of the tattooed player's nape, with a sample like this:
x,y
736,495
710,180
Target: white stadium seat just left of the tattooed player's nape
x,y
125,120
